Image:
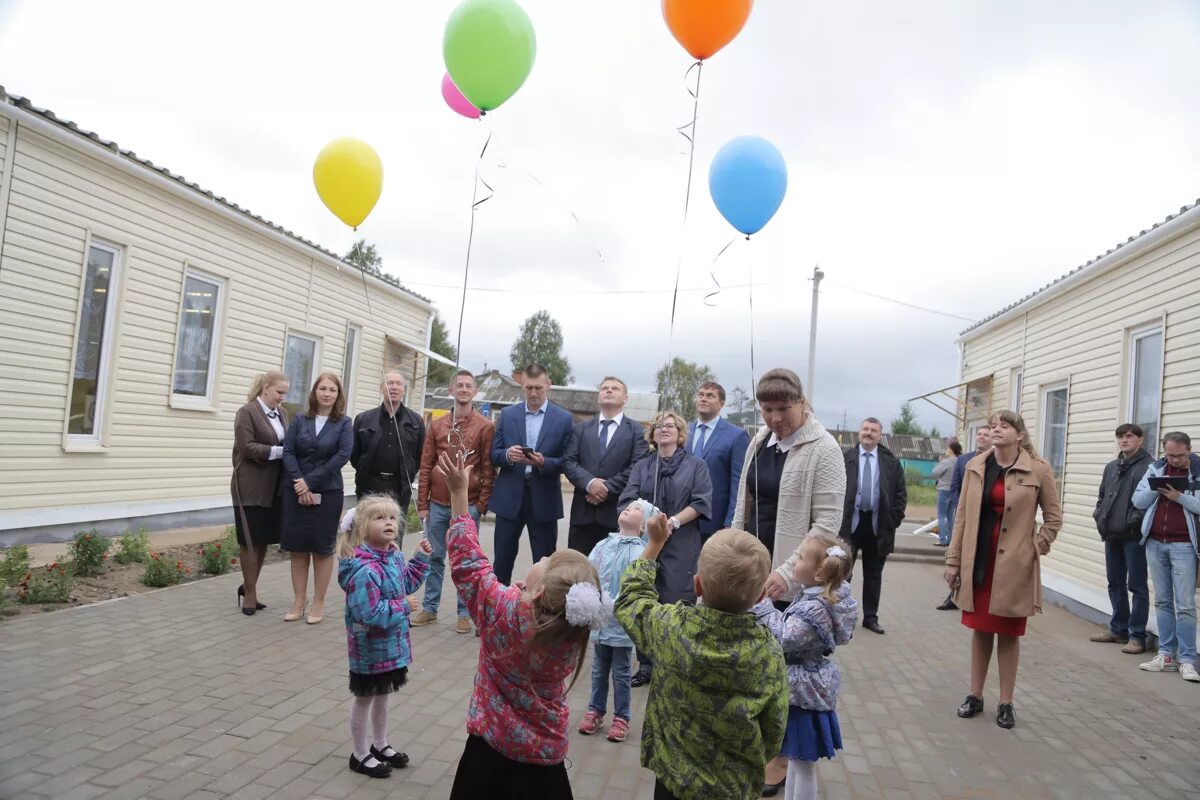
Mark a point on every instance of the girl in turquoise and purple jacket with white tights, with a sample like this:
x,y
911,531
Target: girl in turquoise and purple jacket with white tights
x,y
377,582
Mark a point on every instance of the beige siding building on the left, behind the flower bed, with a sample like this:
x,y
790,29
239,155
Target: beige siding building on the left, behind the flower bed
x,y
135,311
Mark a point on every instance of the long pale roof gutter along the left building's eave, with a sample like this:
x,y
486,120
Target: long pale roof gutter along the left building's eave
x,y
88,148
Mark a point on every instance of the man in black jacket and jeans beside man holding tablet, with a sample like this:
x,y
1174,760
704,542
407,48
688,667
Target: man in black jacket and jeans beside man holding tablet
x,y
1125,557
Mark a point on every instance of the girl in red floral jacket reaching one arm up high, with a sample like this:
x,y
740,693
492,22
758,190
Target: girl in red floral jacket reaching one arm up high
x,y
533,639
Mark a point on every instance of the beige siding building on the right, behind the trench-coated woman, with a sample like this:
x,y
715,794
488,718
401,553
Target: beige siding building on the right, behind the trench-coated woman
x,y
1115,341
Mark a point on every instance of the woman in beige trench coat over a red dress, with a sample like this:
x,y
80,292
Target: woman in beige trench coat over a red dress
x,y
994,561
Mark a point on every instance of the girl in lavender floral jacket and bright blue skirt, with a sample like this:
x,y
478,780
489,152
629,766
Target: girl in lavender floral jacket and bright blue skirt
x,y
821,618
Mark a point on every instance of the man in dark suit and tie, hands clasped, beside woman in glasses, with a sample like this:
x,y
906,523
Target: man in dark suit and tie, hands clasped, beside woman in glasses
x,y
598,461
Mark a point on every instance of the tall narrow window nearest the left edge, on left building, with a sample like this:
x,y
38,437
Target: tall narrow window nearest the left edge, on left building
x,y
93,353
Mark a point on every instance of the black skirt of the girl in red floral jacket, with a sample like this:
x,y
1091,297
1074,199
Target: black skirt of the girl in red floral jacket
x,y
484,773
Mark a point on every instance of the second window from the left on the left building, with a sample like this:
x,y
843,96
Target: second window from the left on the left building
x,y
196,348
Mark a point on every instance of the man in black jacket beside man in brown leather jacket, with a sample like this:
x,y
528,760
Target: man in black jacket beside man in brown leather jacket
x,y
388,444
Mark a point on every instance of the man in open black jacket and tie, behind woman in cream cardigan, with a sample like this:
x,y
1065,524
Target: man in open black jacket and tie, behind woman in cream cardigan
x,y
877,498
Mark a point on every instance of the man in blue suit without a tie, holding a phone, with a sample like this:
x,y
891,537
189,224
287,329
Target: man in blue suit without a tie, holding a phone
x,y
529,449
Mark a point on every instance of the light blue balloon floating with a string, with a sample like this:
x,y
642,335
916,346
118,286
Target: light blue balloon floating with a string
x,y
748,182
